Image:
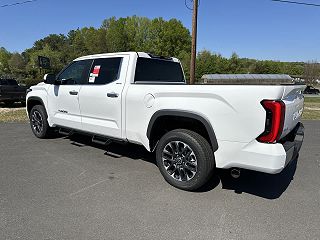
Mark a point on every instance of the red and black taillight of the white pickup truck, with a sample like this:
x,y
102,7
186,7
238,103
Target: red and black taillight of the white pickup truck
x,y
275,112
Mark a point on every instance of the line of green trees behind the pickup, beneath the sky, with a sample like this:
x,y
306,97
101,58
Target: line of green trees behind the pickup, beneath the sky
x,y
157,36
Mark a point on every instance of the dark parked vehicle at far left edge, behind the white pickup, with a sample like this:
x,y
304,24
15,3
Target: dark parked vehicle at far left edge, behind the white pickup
x,y
11,91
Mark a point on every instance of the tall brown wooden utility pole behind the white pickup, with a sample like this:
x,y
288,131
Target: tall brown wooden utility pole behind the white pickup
x,y
194,42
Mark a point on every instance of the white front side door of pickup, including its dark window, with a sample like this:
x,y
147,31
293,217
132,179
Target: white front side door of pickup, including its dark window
x,y
64,99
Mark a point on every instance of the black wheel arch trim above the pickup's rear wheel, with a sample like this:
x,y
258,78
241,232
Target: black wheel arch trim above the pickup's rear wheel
x,y
180,115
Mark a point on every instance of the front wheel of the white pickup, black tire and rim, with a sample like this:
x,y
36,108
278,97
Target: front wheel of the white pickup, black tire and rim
x,y
38,121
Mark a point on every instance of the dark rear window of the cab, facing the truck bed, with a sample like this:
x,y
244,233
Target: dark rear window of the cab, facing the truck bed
x,y
157,70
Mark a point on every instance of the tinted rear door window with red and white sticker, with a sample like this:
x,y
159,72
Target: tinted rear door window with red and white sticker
x,y
105,70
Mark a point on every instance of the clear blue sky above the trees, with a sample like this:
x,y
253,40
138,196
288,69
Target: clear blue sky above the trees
x,y
260,29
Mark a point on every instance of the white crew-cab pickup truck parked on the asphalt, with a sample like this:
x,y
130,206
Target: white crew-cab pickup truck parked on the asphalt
x,y
140,98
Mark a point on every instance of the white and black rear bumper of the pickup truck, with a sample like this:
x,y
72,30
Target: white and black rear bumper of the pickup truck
x,y
262,157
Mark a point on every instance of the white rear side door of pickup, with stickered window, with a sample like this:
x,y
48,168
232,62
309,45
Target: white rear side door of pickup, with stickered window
x,y
101,98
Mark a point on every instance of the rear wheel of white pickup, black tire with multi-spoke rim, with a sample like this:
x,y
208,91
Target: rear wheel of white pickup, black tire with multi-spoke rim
x,y
202,155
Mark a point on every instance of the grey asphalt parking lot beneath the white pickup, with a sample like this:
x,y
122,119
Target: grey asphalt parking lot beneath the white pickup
x,y
70,188
